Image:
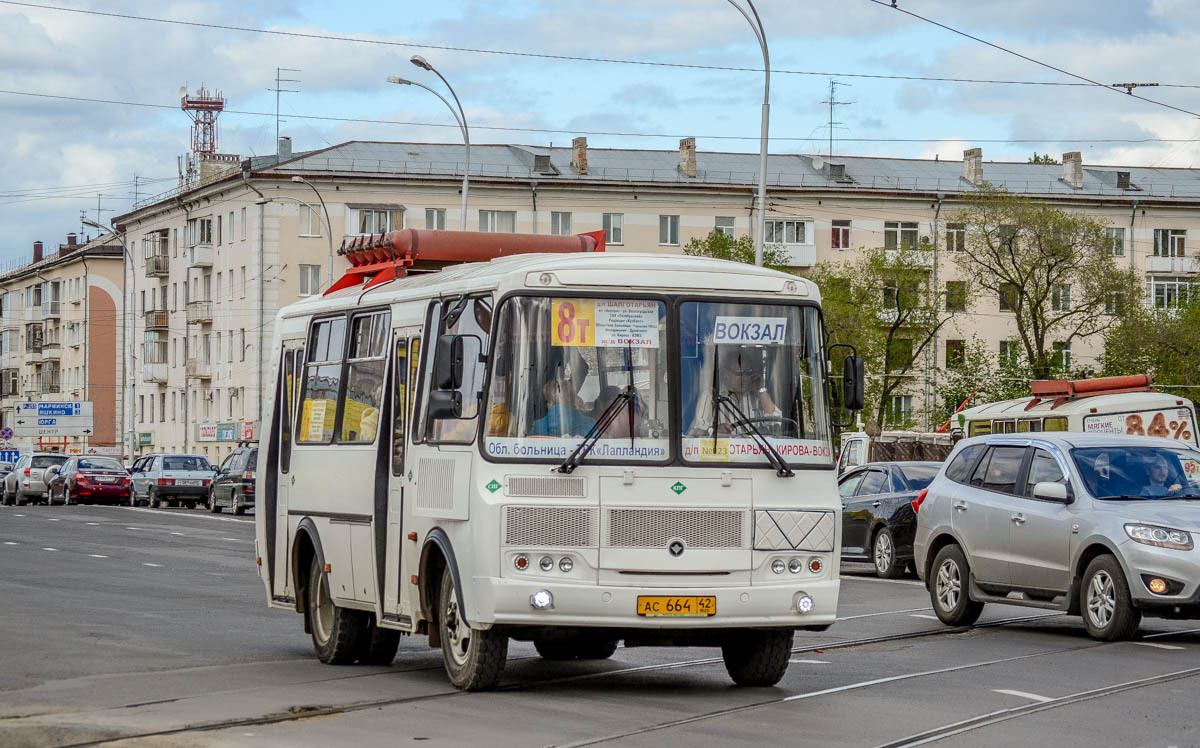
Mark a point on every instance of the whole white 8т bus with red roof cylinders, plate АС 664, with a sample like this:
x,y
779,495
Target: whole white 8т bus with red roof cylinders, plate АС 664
x,y
572,448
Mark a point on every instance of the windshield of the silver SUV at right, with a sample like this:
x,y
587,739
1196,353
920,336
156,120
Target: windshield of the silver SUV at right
x,y
1139,472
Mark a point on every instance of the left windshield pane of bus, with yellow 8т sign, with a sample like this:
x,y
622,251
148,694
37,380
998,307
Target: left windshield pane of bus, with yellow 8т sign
x,y
561,363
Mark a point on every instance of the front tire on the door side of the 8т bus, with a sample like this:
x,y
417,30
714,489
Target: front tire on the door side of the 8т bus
x,y
475,659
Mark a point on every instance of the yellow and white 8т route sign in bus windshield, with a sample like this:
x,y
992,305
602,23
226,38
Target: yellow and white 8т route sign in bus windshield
x,y
605,324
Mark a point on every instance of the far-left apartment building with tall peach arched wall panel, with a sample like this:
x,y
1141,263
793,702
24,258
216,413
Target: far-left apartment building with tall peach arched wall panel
x,y
62,337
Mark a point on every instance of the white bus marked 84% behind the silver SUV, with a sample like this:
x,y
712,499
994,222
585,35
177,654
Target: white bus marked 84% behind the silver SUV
x,y
1106,405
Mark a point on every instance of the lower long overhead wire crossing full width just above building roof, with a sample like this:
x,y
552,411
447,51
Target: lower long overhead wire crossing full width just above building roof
x,y
601,133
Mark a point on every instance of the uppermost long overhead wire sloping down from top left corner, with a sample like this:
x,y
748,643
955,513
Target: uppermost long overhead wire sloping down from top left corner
x,y
568,58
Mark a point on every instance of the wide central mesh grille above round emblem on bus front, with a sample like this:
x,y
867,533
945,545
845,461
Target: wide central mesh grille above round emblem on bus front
x,y
659,528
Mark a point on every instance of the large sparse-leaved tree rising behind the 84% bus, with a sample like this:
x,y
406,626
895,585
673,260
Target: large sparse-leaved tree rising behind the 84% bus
x,y
1052,268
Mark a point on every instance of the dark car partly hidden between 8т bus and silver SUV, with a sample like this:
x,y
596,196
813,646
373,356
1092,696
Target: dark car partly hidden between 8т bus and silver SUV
x,y
878,519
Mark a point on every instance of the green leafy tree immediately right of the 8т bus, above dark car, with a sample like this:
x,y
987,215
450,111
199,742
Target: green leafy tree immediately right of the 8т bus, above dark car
x,y
886,307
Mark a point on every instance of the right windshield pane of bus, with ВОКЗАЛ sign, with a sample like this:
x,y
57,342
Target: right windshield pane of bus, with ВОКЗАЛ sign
x,y
753,367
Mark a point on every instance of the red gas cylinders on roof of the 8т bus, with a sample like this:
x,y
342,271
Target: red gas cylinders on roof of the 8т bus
x,y
380,259
